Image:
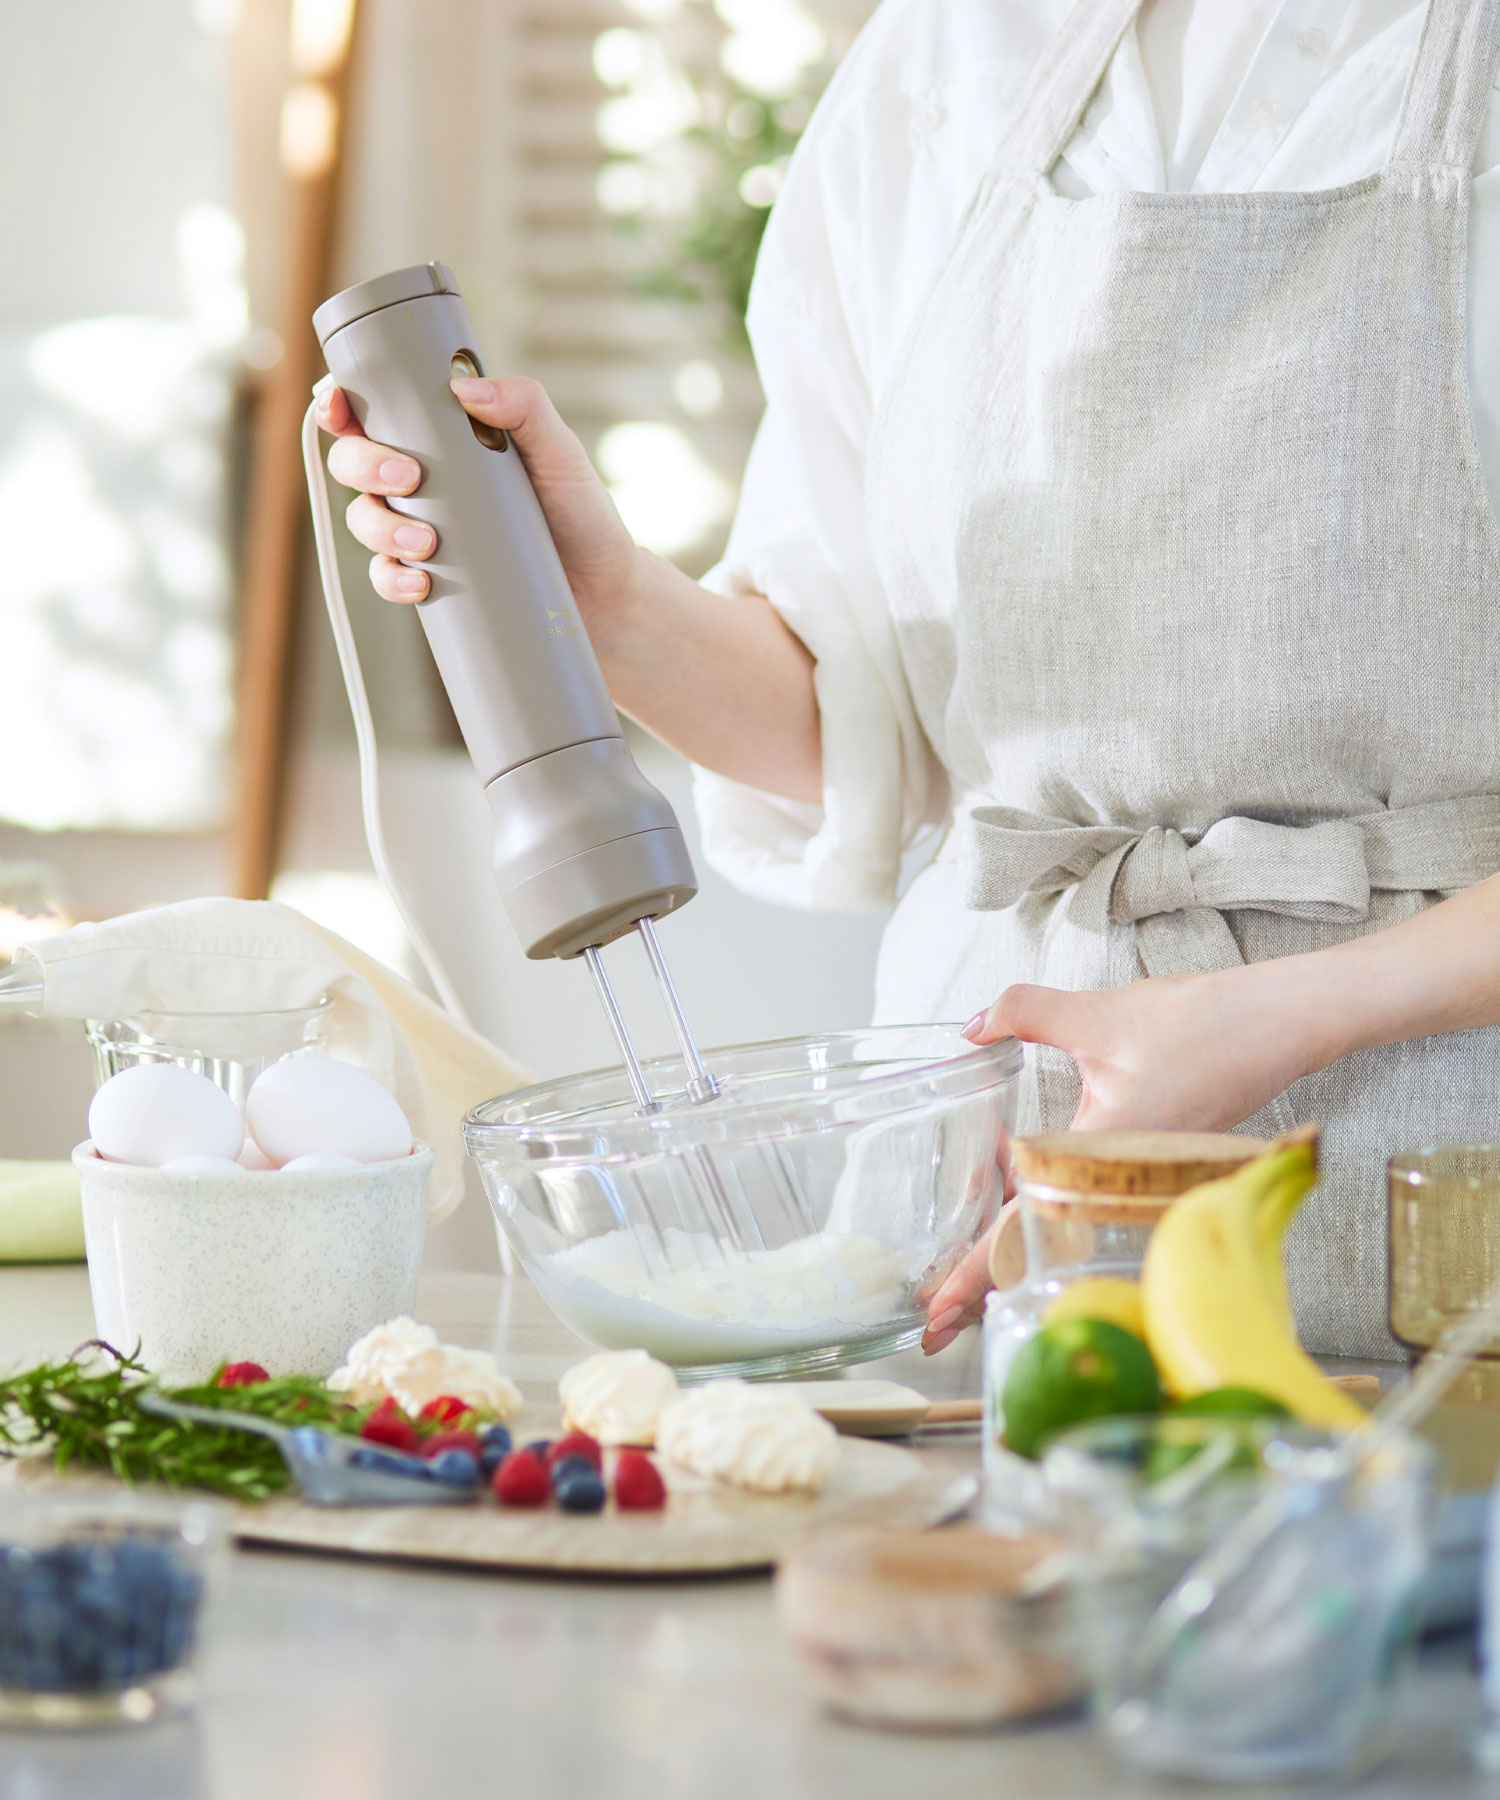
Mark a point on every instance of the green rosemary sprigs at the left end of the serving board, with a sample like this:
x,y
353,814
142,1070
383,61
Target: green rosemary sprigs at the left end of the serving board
x,y
91,1416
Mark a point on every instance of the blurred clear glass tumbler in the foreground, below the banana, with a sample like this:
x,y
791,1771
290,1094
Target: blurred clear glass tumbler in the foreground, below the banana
x,y
1287,1668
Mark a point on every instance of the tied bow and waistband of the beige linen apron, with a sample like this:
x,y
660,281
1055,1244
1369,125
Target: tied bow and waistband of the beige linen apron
x,y
1173,886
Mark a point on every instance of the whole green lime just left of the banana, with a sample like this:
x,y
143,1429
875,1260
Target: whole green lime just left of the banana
x,y
1072,1371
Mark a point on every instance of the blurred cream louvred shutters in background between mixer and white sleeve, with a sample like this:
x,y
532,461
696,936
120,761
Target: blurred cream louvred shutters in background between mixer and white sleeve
x,y
611,355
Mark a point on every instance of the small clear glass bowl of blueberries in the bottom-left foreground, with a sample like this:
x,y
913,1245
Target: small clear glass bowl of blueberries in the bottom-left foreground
x,y
102,1601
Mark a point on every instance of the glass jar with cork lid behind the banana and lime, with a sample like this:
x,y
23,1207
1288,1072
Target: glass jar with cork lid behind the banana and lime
x,y
1085,1209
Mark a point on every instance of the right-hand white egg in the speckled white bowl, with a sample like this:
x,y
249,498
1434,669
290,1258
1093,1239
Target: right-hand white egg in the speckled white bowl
x,y
309,1106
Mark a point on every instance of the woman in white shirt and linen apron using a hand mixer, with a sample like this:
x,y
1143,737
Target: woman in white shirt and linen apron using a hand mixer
x,y
1126,503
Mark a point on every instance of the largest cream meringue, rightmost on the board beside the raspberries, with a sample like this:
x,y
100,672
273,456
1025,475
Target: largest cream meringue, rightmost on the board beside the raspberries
x,y
750,1435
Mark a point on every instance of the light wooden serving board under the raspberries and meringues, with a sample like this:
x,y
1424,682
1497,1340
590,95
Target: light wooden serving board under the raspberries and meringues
x,y
705,1527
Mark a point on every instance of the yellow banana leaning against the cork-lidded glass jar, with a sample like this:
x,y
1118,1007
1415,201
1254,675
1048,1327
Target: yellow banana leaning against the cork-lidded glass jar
x,y
1215,1290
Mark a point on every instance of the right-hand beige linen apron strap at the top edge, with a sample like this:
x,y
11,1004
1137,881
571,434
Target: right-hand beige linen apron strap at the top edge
x,y
1449,89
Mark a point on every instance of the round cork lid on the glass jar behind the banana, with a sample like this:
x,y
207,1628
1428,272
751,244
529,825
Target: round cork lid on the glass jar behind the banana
x,y
1137,1164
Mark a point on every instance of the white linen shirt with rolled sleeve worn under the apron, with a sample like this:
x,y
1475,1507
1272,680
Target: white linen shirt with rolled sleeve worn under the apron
x,y
1204,96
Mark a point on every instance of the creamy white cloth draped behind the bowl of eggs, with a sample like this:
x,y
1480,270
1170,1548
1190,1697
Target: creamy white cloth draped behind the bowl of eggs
x,y
248,957
